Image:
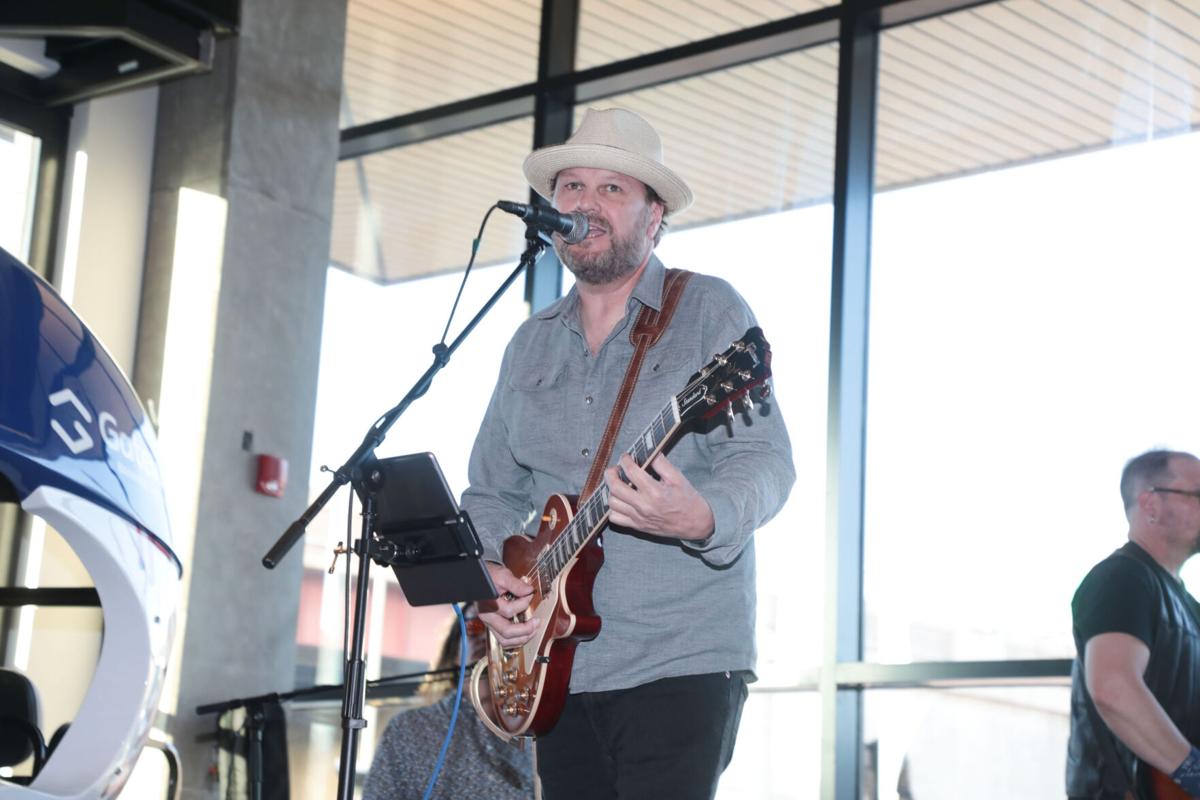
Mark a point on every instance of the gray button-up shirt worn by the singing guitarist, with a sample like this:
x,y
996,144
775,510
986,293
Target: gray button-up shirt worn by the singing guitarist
x,y
669,607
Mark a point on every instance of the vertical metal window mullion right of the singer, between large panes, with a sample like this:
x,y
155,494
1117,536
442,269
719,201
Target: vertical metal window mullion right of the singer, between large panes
x,y
854,185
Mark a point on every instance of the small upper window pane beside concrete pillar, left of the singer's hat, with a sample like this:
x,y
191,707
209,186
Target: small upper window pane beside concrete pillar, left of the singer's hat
x,y
404,56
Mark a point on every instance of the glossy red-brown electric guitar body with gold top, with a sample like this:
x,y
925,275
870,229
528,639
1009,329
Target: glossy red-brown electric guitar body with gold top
x,y
530,684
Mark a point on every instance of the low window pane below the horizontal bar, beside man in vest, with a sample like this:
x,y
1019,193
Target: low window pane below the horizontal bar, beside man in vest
x,y
1003,743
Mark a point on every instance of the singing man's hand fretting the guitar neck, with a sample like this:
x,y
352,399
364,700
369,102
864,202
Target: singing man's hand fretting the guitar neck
x,y
668,506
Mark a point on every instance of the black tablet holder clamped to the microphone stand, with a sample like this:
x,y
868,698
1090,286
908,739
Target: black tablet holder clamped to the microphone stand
x,y
427,539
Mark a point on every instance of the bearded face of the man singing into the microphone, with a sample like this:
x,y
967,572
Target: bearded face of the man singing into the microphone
x,y
621,224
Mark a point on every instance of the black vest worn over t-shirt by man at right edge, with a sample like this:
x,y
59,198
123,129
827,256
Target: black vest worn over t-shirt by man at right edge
x,y
1173,677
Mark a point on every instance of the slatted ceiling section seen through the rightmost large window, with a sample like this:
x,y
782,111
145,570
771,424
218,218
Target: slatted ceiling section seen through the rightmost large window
x,y
1027,80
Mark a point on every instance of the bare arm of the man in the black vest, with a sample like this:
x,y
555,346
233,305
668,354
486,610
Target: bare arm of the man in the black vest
x,y
1114,665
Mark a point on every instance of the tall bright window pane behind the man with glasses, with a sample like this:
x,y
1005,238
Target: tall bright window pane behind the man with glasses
x,y
1031,315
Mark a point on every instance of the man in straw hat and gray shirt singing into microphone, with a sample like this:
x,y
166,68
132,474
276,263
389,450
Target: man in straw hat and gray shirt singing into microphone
x,y
656,699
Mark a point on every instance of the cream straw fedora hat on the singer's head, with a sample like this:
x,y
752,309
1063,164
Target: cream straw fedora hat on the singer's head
x,y
615,140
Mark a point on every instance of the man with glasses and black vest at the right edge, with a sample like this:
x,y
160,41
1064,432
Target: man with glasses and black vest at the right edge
x,y
1136,683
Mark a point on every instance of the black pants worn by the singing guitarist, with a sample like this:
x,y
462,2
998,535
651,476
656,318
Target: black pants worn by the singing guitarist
x,y
669,739
